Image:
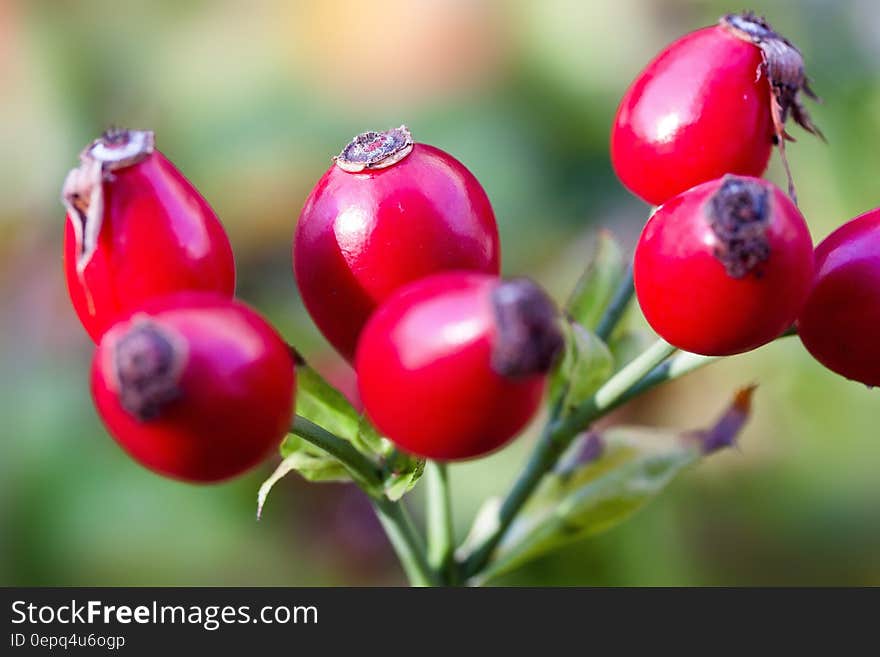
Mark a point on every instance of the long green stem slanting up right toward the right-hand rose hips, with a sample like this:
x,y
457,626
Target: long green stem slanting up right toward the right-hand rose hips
x,y
557,436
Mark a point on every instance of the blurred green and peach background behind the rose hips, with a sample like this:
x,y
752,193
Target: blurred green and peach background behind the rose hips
x,y
250,100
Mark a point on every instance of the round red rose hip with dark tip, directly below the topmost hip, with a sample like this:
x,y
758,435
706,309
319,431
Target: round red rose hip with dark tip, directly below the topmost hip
x,y
724,267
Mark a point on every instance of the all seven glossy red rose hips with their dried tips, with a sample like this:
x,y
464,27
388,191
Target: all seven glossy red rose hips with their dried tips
x,y
396,255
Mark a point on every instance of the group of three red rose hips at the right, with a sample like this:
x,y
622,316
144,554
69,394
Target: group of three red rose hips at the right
x,y
725,264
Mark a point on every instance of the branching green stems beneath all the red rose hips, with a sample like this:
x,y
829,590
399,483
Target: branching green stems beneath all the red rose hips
x,y
433,562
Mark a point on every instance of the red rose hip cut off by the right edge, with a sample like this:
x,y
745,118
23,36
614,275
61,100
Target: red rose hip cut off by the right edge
x,y
840,320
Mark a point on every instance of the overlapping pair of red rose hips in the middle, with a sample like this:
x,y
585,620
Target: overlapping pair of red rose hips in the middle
x,y
396,256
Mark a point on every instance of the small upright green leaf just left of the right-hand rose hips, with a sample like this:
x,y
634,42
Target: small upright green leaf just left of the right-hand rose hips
x,y
597,284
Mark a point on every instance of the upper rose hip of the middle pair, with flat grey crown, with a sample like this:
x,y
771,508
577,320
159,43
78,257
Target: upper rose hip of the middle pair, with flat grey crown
x,y
387,213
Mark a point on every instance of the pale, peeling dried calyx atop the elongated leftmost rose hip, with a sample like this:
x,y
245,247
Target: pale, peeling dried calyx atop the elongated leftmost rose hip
x,y
82,193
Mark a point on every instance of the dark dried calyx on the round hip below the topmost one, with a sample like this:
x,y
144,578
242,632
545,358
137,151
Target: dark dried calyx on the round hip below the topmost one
x,y
738,214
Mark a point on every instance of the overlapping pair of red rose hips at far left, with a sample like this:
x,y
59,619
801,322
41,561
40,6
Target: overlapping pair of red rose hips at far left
x,y
190,382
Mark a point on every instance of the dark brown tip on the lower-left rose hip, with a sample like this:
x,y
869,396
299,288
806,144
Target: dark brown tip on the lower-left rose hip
x,y
148,362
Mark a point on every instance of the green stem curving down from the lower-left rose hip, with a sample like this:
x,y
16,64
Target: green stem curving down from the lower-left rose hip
x,y
400,530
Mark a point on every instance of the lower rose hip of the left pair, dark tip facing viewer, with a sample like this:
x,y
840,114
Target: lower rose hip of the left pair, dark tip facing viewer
x,y
194,386
